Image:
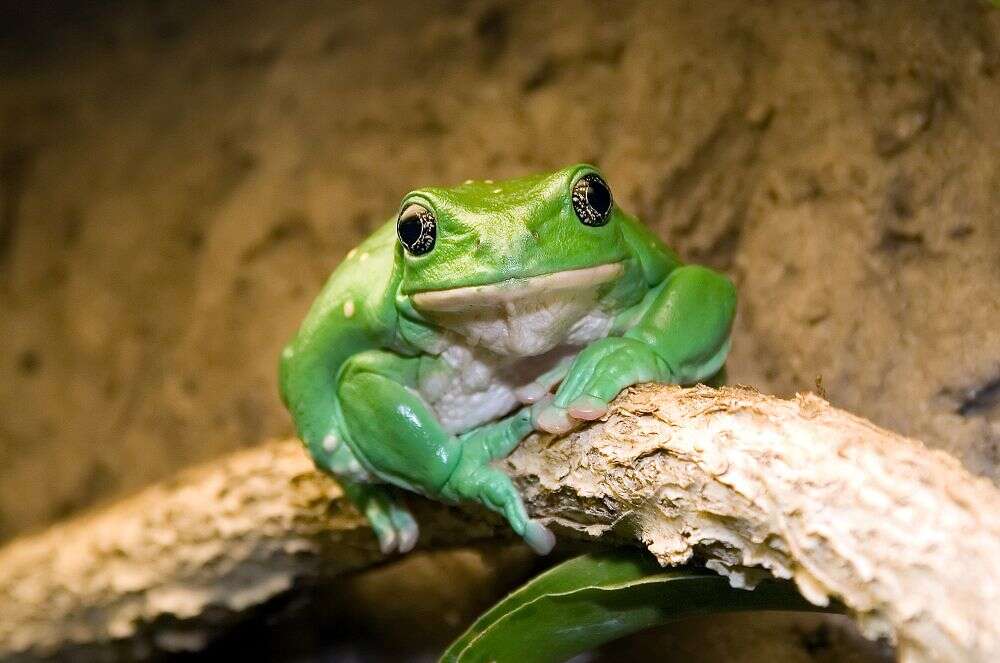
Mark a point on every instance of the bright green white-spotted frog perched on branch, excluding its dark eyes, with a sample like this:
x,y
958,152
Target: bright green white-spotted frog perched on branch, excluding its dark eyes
x,y
355,378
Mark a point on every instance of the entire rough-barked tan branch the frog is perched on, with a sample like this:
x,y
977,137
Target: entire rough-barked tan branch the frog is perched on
x,y
902,535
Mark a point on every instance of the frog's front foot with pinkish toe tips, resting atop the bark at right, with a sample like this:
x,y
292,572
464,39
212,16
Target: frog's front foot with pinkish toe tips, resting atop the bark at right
x,y
599,374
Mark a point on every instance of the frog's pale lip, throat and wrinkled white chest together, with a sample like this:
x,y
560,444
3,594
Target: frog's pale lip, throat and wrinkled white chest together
x,y
502,336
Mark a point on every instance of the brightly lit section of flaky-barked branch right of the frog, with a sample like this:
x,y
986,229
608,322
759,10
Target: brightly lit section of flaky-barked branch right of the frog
x,y
902,535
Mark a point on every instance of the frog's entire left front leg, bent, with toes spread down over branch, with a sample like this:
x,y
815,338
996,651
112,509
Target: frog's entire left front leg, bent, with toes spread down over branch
x,y
396,435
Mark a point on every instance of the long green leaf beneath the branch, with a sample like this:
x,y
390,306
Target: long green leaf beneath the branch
x,y
593,599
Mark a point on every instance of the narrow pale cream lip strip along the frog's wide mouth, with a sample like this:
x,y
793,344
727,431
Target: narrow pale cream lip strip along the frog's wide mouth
x,y
511,290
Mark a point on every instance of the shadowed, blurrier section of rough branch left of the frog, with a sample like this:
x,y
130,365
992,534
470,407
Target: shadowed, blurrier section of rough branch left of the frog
x,y
168,568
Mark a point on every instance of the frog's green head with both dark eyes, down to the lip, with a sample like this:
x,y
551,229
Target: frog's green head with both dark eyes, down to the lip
x,y
468,245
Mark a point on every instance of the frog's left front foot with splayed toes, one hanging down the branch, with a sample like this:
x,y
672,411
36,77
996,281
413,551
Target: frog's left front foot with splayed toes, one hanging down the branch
x,y
475,479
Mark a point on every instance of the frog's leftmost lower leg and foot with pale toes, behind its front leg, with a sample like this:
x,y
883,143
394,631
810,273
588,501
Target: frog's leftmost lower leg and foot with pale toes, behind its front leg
x,y
394,525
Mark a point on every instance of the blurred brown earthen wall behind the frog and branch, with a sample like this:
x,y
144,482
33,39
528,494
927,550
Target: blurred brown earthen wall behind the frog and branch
x,y
178,178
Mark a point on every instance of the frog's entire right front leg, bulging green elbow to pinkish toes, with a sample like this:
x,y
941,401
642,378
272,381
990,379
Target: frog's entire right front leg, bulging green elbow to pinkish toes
x,y
683,337
